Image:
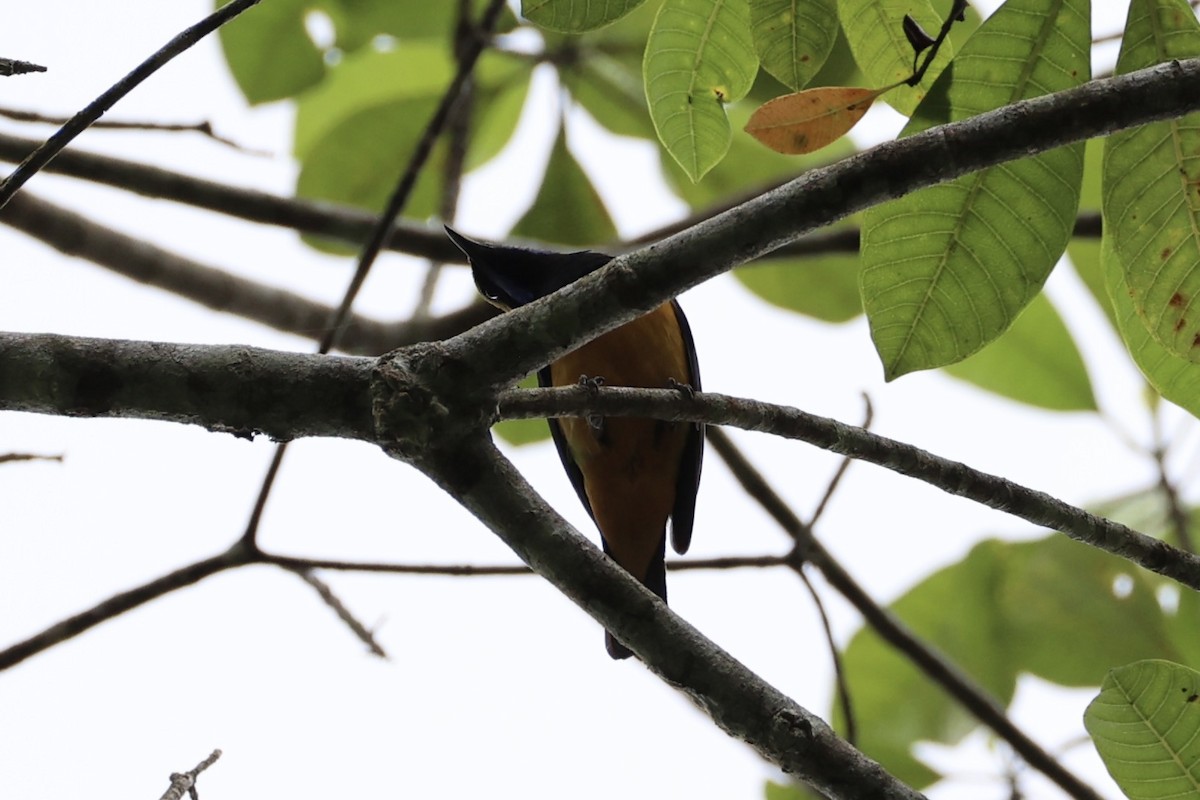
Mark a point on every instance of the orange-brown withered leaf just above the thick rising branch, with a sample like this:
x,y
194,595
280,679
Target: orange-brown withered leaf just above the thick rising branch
x,y
809,121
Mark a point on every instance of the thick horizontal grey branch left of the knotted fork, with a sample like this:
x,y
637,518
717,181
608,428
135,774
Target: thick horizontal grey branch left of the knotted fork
x,y
232,389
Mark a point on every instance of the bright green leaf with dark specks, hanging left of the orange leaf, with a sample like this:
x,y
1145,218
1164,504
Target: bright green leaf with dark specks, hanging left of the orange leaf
x,y
700,56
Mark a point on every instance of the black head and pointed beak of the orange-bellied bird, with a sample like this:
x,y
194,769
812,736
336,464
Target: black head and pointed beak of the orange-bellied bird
x,y
513,276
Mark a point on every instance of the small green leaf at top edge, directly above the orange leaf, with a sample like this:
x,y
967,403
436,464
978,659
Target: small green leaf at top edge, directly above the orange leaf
x,y
794,38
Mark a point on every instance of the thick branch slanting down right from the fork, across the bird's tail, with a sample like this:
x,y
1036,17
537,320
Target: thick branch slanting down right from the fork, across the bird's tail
x,y
739,701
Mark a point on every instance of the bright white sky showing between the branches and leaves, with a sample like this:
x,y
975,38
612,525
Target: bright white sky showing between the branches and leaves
x,y
495,685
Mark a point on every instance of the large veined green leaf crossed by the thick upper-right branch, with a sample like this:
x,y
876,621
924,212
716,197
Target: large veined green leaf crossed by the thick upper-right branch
x,y
947,269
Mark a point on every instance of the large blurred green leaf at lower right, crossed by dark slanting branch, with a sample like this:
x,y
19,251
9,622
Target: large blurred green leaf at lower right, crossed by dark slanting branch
x,y
1018,607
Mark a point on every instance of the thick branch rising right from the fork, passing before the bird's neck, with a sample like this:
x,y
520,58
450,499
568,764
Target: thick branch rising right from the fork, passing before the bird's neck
x,y
508,348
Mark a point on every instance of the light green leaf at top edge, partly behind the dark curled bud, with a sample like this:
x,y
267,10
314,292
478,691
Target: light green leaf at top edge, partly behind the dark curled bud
x,y
884,53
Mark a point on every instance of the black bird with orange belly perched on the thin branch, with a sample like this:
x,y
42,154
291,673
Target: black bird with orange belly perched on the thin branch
x,y
631,474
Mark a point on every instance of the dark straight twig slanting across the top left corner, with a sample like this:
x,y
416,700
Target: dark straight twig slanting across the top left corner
x,y
97,109
